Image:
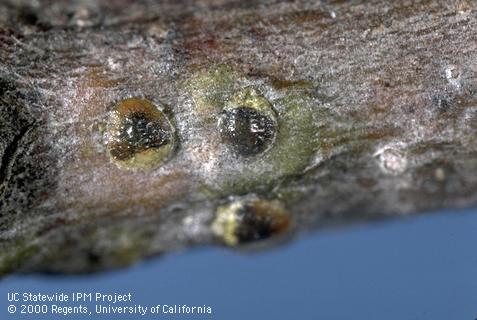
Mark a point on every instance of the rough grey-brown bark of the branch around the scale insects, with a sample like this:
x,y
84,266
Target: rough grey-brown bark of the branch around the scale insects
x,y
376,104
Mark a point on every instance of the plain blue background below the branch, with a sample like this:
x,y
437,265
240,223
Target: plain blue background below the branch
x,y
414,268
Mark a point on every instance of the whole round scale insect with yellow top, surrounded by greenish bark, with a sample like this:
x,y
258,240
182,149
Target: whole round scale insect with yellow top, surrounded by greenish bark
x,y
248,123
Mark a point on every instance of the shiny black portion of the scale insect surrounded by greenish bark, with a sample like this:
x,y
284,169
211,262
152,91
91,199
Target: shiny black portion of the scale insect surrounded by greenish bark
x,y
246,130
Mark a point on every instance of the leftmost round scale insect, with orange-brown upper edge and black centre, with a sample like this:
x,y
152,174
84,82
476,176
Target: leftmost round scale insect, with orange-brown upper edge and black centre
x,y
139,135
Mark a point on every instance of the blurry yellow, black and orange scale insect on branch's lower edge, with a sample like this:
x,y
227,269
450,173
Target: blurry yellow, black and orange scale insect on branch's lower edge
x,y
248,220
